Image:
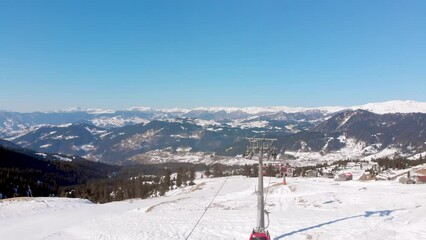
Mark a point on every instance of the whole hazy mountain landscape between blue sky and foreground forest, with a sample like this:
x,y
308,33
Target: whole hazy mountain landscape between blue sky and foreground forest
x,y
151,135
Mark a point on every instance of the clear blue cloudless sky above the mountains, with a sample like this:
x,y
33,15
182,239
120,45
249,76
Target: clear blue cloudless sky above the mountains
x,y
119,54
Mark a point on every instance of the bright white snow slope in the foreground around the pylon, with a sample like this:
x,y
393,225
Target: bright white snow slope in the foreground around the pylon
x,y
306,208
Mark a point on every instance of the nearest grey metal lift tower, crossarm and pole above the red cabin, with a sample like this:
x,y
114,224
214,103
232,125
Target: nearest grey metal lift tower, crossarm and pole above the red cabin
x,y
260,147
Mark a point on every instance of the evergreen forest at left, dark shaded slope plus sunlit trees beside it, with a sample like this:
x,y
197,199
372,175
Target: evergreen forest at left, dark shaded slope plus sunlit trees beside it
x,y
24,173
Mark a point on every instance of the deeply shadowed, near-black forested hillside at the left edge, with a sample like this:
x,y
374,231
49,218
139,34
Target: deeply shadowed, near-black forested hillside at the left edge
x,y
23,171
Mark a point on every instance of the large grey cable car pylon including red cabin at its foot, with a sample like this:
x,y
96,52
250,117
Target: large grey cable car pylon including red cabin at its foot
x,y
260,147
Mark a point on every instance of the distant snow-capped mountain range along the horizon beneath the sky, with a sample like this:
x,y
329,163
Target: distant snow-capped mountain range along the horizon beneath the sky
x,y
13,122
